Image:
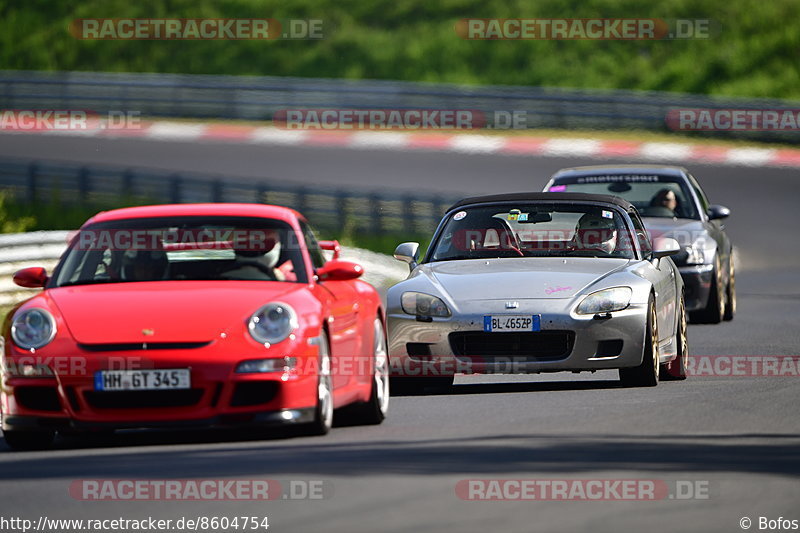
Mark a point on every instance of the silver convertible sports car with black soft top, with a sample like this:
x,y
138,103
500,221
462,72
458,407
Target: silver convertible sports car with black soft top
x,y
538,282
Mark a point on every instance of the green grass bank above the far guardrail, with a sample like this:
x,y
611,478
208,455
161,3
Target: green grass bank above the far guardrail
x,y
753,49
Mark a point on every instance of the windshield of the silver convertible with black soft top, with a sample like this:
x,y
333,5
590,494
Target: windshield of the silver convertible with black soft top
x,y
533,230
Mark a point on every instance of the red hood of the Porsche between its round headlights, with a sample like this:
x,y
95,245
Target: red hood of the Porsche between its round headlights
x,y
185,311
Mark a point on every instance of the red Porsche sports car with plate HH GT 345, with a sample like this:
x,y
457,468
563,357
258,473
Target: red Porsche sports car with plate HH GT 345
x,y
207,314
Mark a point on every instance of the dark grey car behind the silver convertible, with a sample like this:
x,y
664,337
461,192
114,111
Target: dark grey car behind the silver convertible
x,y
672,204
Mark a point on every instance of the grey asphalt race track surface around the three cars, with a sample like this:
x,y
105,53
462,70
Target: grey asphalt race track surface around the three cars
x,y
739,437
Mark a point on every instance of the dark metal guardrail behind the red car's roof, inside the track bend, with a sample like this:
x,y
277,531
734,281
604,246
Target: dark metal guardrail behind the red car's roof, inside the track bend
x,y
330,210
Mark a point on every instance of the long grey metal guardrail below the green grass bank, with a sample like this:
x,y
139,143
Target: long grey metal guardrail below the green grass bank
x,y
258,98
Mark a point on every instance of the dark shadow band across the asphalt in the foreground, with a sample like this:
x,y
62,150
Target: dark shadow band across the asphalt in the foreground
x,y
513,455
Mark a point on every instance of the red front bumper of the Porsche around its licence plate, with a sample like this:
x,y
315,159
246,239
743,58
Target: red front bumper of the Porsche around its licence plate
x,y
217,394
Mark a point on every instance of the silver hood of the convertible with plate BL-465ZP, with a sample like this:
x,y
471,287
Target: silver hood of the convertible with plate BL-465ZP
x,y
517,278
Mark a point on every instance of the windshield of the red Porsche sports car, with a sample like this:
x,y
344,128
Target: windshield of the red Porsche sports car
x,y
182,248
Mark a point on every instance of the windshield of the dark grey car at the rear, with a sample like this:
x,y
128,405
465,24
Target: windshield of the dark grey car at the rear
x,y
653,195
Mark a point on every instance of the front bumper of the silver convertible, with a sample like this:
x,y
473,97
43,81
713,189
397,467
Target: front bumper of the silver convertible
x,y
422,348
